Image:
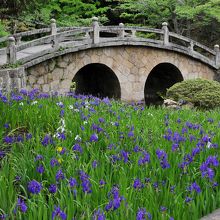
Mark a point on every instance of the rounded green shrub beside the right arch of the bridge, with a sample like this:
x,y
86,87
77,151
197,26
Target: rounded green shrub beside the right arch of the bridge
x,y
202,93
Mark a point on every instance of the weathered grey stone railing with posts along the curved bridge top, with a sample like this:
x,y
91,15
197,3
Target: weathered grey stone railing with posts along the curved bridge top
x,y
68,37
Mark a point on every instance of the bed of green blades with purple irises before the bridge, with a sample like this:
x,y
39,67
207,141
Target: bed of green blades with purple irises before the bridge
x,y
54,126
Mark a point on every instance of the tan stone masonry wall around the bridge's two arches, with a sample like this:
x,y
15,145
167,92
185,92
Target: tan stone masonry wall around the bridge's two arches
x,y
131,65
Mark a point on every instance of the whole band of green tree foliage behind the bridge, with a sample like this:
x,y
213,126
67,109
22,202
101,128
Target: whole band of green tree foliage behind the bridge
x,y
198,19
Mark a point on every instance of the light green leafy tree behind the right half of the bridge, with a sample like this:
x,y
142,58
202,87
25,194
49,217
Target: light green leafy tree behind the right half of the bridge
x,y
185,17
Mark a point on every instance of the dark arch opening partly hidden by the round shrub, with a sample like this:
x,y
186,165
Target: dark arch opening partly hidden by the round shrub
x,y
161,77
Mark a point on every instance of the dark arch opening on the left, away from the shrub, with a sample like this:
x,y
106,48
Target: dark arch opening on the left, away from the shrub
x,y
98,80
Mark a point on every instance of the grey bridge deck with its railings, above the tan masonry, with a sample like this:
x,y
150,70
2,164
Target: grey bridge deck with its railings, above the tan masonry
x,y
73,39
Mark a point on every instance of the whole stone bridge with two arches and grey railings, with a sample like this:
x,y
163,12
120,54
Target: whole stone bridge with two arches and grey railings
x,y
128,63
